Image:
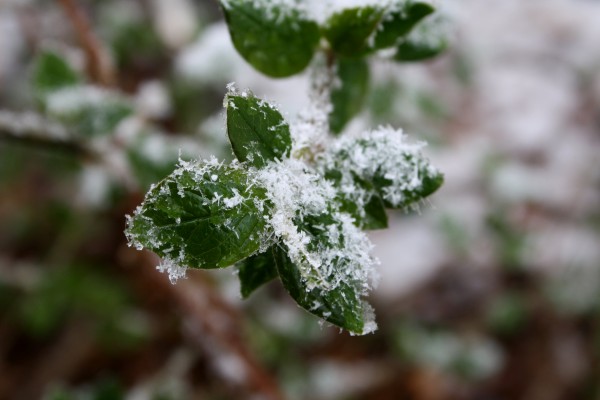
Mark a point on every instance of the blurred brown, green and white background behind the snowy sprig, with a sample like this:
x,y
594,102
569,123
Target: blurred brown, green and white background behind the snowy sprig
x,y
492,292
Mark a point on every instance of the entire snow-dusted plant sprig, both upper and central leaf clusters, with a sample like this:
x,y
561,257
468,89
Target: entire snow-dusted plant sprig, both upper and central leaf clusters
x,y
296,202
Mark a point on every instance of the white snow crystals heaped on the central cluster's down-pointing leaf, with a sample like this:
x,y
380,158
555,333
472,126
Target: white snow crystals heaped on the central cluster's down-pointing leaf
x,y
323,242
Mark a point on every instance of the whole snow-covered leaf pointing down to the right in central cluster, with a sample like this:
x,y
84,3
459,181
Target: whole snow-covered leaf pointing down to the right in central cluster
x,y
329,268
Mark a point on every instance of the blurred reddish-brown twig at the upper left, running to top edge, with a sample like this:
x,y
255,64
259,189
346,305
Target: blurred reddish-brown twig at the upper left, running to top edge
x,y
98,65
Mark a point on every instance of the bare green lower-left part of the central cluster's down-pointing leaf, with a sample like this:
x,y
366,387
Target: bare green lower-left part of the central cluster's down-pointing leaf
x,y
342,306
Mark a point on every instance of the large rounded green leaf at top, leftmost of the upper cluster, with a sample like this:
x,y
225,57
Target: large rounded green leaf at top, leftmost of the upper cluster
x,y
276,40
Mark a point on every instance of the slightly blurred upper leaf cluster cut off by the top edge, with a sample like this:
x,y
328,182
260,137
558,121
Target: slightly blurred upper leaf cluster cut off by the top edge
x,y
280,39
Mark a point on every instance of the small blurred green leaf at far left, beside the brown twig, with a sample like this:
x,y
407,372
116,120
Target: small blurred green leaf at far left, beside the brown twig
x,y
51,72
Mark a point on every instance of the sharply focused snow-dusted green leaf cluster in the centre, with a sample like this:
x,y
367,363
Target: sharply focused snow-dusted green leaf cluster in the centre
x,y
276,216
